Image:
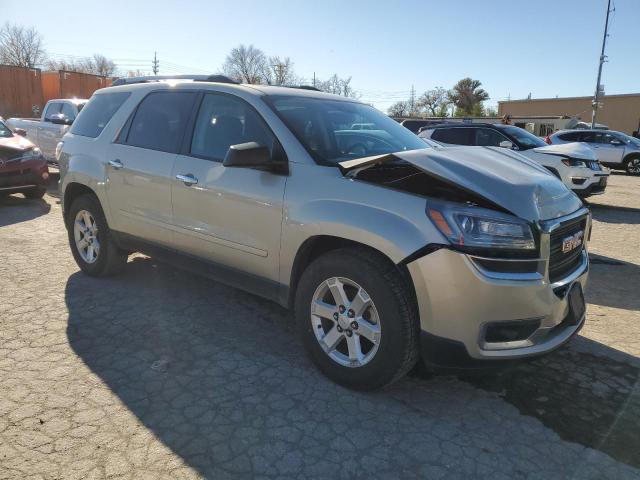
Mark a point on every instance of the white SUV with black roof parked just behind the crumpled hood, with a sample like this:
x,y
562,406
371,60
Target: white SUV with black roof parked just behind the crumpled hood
x,y
575,165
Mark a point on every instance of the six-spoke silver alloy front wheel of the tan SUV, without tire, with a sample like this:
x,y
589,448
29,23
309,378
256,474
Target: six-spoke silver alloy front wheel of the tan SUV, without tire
x,y
345,322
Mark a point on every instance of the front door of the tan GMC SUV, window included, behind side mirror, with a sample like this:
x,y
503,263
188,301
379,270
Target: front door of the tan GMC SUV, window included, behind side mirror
x,y
231,216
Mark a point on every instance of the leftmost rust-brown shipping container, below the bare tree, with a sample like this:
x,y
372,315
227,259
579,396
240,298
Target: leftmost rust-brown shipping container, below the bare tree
x,y
20,91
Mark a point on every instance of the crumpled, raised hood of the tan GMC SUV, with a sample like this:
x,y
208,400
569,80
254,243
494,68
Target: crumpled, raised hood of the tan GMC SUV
x,y
504,177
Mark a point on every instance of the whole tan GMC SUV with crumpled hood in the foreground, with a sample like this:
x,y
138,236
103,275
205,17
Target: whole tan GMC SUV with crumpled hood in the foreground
x,y
383,251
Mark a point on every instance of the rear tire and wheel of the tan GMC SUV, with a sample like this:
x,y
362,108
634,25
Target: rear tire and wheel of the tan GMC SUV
x,y
93,233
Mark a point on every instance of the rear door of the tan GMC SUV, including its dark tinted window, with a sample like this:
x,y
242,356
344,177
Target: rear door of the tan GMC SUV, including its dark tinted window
x,y
140,165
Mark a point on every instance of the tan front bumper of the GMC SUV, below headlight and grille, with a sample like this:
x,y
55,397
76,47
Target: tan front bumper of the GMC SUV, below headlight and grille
x,y
459,302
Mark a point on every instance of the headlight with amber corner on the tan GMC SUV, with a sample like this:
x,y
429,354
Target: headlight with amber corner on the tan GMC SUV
x,y
480,228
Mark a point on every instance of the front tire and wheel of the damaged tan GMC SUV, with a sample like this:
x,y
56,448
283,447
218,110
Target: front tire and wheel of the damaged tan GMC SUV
x,y
357,321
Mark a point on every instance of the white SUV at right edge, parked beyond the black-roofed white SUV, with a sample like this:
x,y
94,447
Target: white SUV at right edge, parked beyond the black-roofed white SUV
x,y
614,149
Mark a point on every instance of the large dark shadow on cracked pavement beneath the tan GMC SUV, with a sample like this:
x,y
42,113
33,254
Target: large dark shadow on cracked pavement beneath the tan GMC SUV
x,y
220,377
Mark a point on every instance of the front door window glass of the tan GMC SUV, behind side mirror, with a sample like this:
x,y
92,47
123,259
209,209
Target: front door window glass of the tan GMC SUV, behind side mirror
x,y
224,121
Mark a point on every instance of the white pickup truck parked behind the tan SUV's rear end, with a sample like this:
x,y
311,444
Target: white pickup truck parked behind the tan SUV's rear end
x,y
49,129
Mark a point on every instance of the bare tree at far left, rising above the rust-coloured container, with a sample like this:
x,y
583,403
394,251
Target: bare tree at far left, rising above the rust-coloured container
x,y
20,46
